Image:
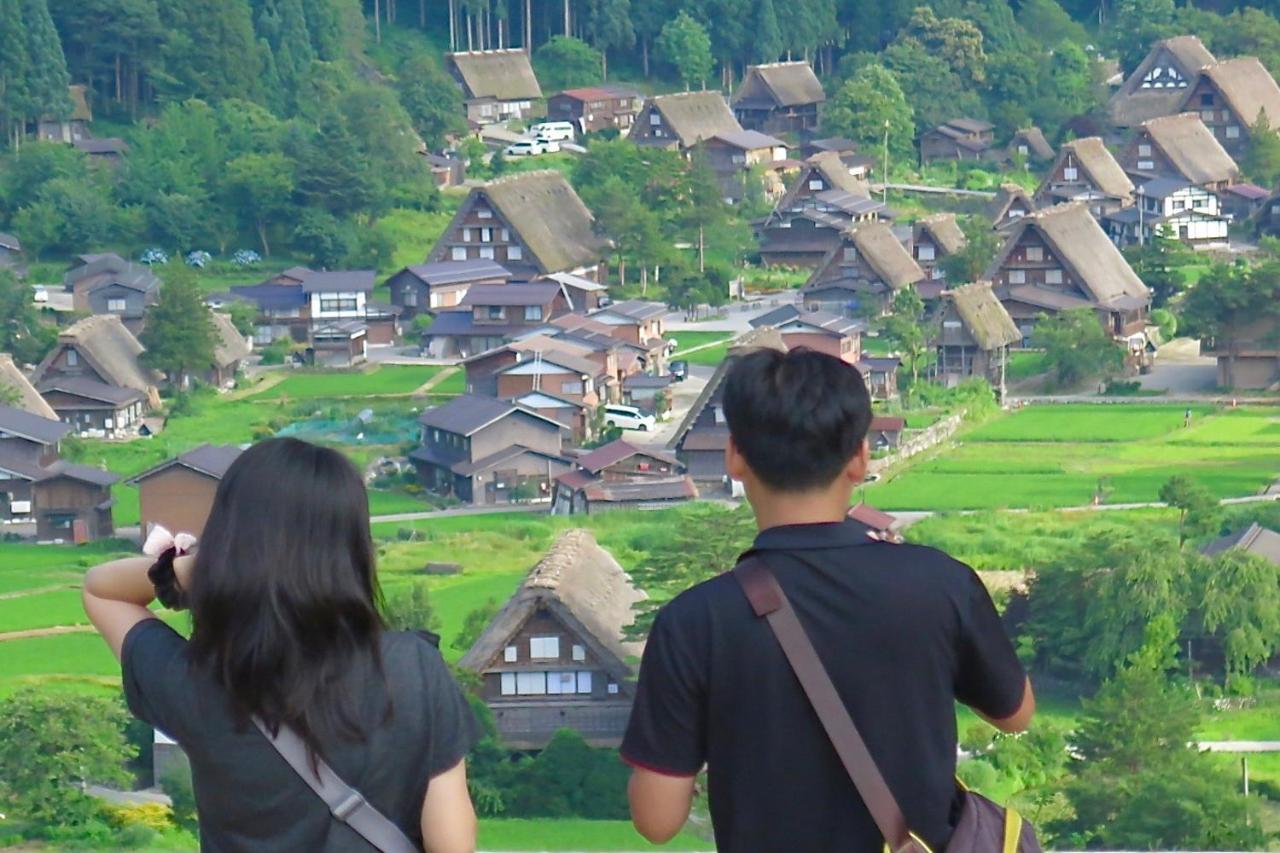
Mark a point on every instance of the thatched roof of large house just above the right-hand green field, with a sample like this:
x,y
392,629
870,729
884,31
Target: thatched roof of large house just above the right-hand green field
x,y
1076,238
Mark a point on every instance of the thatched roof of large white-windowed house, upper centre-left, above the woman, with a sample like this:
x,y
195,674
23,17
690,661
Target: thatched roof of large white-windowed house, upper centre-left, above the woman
x,y
551,221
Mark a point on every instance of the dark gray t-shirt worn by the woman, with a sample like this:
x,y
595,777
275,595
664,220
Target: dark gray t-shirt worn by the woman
x,y
249,799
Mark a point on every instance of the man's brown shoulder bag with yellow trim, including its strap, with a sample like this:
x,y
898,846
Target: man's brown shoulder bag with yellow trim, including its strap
x,y
984,827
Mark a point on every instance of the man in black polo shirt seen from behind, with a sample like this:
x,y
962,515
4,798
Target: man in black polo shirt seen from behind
x,y
904,632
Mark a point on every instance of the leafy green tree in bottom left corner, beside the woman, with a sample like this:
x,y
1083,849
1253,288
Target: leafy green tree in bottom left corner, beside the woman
x,y
54,743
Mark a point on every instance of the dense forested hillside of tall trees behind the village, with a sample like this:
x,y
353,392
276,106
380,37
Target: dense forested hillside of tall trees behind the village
x,y
294,125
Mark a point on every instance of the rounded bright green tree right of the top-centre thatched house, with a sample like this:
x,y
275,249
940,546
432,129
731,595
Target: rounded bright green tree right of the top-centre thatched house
x,y
868,106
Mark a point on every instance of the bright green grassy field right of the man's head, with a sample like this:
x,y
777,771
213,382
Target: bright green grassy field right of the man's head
x,y
1057,457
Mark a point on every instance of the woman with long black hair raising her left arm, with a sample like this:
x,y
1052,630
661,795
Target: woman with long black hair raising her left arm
x,y
287,640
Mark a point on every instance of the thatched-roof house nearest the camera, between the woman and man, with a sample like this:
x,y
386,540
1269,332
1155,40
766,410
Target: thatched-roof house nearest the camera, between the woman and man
x,y
557,655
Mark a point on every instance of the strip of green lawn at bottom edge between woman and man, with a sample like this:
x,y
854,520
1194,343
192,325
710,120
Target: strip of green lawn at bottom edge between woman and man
x,y
575,836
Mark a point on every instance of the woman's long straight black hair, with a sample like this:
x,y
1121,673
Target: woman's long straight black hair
x,y
285,599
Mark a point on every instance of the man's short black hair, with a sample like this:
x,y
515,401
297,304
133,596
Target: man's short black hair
x,y
798,417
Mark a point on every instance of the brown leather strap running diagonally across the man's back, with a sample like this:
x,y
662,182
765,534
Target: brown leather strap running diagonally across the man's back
x,y
769,601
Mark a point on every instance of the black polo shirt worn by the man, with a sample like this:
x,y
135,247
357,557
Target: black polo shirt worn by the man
x,y
904,632
